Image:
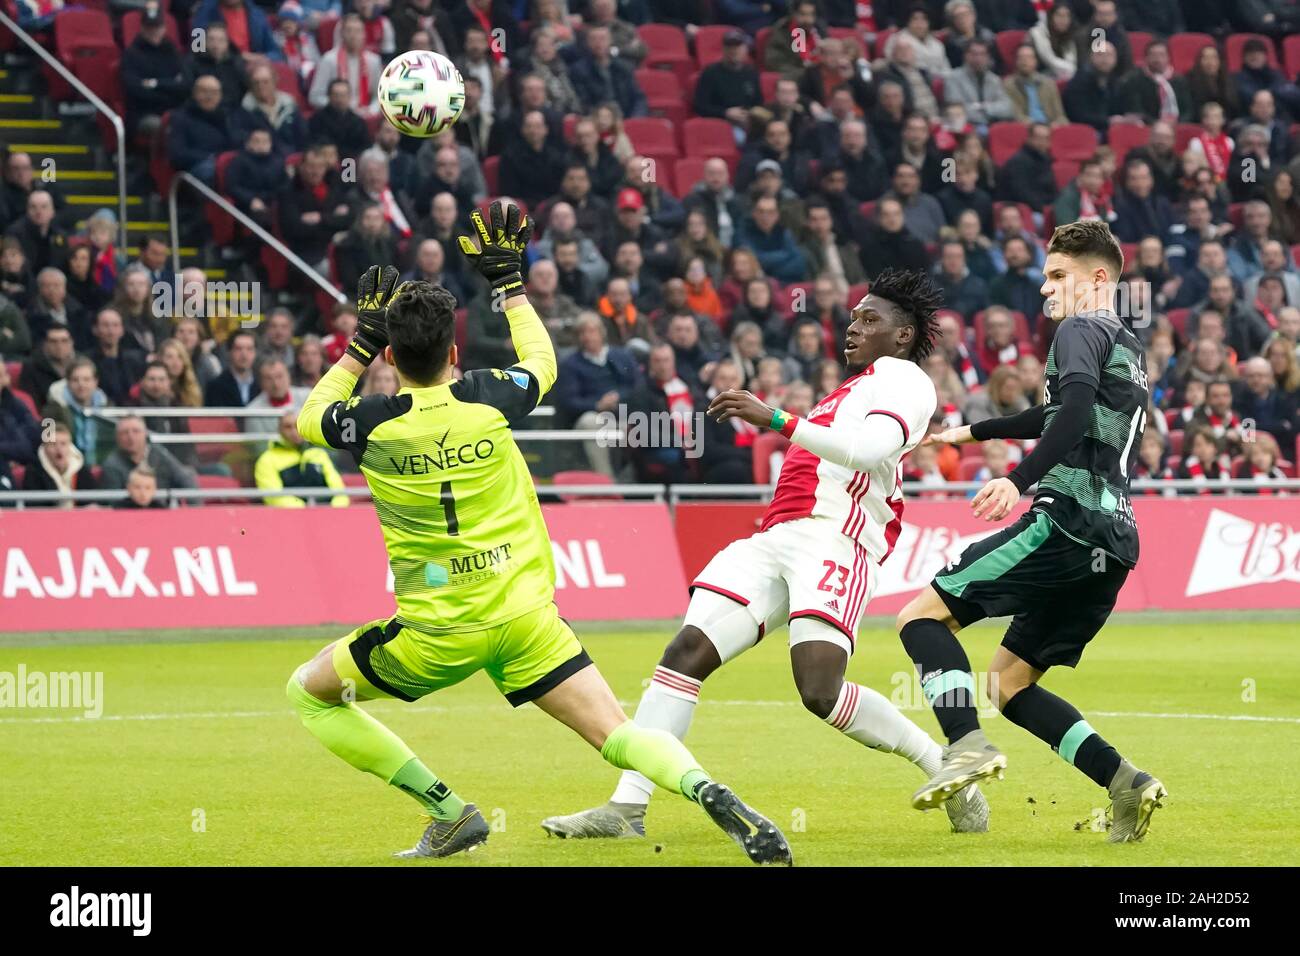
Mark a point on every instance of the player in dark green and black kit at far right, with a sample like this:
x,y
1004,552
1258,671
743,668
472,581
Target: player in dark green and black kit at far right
x,y
1059,569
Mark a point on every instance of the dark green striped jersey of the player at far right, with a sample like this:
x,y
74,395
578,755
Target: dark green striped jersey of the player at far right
x,y
1086,495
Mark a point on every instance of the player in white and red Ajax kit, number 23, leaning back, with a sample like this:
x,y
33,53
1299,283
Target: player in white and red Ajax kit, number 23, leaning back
x,y
835,517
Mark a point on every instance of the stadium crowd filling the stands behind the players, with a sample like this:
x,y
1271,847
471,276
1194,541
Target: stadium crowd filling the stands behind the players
x,y
714,185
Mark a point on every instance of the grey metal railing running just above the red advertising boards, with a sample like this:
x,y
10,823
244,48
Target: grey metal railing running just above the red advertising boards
x,y
671,495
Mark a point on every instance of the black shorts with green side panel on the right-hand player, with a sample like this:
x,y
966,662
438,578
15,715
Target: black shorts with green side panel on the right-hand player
x,y
1059,590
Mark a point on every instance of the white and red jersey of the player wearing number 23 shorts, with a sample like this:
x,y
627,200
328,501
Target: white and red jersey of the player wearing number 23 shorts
x,y
864,505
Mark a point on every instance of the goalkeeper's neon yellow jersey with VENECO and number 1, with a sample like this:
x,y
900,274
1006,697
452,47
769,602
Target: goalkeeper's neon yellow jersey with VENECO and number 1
x,y
465,534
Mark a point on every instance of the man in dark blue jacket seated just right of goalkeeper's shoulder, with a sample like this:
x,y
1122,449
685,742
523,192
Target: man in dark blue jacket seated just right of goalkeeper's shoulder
x,y
595,380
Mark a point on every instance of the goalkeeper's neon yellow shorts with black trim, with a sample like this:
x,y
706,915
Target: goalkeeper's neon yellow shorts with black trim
x,y
525,657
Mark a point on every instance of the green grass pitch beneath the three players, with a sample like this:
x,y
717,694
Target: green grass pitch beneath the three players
x,y
198,759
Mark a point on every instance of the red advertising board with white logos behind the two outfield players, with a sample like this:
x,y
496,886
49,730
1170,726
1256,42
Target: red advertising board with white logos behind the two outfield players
x,y
1197,553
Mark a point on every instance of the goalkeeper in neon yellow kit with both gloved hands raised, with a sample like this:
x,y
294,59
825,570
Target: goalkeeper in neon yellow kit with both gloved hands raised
x,y
471,560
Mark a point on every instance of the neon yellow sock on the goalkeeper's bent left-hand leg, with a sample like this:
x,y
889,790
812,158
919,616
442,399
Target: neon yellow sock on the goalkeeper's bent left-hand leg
x,y
367,745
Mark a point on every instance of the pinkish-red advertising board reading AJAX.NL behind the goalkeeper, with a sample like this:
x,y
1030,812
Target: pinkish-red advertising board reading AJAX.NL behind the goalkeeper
x,y
259,566
